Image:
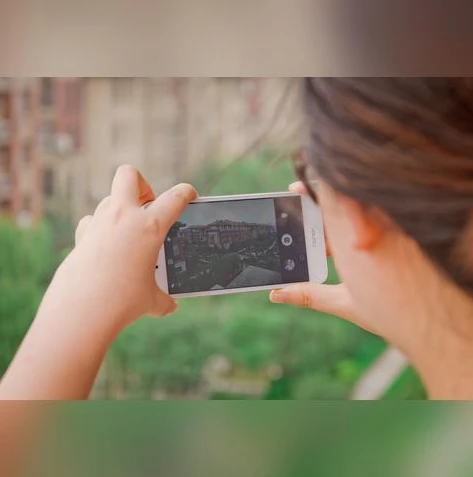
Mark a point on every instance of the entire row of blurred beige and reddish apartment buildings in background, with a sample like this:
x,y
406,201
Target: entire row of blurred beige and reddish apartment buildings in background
x,y
61,139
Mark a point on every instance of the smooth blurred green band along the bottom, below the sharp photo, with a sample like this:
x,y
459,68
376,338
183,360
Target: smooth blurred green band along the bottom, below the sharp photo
x,y
278,439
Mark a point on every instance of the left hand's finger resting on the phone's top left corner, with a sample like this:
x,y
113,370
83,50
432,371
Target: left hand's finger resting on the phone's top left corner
x,y
169,206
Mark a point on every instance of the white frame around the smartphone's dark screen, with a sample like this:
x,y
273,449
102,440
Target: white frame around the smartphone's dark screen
x,y
314,236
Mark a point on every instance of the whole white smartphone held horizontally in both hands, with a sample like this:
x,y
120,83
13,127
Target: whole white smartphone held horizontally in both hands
x,y
241,243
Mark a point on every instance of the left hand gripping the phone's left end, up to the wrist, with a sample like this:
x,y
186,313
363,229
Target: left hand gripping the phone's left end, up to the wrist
x,y
111,270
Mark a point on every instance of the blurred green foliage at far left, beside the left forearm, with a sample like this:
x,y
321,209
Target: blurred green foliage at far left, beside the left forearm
x,y
26,259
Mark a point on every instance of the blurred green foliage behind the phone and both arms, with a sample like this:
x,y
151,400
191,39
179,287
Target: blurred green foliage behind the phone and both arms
x,y
230,347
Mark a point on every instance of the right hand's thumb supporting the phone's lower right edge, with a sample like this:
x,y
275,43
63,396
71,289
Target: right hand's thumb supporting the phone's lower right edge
x,y
331,299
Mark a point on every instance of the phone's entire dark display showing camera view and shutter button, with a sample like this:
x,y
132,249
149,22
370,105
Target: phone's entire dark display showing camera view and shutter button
x,y
237,244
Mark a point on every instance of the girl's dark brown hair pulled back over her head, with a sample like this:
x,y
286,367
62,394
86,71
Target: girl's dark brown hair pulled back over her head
x,y
404,145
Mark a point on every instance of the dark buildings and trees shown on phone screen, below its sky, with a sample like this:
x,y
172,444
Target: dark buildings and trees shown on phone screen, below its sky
x,y
222,254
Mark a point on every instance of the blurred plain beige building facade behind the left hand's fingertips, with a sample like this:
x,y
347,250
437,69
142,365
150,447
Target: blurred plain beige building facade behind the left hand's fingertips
x,y
169,127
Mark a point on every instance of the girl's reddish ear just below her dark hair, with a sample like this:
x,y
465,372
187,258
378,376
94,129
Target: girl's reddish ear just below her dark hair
x,y
366,224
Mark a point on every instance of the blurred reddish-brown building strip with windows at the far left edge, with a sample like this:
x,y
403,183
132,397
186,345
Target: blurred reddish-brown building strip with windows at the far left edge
x,y
20,158
